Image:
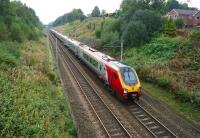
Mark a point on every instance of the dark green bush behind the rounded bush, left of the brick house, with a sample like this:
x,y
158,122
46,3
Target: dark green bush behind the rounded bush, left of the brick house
x,y
150,19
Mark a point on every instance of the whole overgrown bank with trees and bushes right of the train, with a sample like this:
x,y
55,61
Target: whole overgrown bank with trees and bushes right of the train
x,y
152,47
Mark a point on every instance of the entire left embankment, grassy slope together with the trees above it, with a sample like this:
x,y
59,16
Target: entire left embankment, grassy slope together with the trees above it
x,y
31,98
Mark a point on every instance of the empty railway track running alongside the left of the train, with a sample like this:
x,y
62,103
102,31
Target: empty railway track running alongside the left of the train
x,y
109,121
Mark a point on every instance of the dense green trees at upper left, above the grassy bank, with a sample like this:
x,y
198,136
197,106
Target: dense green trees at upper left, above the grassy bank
x,y
18,22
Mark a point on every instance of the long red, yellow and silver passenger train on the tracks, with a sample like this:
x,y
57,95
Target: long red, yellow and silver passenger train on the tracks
x,y
120,78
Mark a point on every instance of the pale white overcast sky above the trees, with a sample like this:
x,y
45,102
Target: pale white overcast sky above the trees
x,y
49,10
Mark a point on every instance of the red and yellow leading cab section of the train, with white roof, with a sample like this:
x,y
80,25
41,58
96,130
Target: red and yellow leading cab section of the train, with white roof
x,y
123,80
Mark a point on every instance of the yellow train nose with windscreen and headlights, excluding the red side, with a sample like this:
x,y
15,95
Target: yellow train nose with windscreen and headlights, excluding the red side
x,y
131,83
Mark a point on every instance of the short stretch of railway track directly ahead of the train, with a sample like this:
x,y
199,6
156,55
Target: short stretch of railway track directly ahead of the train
x,y
157,129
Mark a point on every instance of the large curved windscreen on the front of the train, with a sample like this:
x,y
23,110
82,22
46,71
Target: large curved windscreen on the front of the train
x,y
128,76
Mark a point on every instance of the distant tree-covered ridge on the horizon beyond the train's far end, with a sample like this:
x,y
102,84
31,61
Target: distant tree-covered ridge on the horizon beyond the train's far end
x,y
75,14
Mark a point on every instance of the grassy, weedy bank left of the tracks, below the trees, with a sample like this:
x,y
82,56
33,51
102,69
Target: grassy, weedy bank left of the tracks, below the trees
x,y
32,100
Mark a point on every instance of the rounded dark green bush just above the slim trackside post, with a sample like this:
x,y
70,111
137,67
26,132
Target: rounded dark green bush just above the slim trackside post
x,y
135,34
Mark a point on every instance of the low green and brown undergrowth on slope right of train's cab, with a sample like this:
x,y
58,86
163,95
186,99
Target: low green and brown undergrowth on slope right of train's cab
x,y
170,63
